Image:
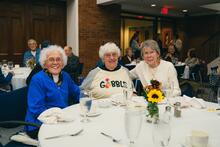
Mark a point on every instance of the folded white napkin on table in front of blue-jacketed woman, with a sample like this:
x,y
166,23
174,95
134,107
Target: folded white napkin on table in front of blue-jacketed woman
x,y
54,115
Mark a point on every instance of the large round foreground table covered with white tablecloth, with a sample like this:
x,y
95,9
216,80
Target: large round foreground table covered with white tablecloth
x,y
110,120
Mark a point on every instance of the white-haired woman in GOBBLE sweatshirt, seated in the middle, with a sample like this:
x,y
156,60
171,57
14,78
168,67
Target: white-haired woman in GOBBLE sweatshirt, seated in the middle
x,y
110,78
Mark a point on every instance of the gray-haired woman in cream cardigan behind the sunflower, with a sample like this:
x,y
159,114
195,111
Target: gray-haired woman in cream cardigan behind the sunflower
x,y
154,68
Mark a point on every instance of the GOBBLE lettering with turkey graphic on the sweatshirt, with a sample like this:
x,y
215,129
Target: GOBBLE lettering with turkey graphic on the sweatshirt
x,y
107,83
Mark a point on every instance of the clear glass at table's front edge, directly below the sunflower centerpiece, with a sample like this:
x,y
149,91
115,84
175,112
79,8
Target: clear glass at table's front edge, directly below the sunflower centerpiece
x,y
161,134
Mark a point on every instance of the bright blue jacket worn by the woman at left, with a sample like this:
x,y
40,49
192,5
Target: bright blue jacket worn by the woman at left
x,y
44,93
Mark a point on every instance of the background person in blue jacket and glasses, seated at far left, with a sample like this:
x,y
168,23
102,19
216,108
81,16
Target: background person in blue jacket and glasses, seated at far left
x,y
33,53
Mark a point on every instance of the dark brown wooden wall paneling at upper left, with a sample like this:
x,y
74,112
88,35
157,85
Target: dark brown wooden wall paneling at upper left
x,y
24,19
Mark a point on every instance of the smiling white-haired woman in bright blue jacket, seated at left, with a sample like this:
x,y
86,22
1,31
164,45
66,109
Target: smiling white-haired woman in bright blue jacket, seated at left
x,y
51,87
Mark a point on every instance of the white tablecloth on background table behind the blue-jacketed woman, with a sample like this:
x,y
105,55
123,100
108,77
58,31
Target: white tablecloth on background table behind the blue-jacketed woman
x,y
19,79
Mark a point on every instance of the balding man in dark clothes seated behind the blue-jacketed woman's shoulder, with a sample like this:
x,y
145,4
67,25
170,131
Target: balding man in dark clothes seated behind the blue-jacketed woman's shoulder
x,y
72,63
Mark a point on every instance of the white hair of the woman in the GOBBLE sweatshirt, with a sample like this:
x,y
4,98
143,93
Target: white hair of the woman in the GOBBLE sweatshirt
x,y
107,48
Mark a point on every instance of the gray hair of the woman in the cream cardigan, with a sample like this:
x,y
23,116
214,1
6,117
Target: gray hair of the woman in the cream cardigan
x,y
151,44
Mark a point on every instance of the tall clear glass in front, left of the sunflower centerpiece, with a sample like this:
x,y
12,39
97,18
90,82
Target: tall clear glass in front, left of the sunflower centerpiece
x,y
133,123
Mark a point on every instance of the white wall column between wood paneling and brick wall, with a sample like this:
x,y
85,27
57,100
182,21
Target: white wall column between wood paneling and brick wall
x,y
73,25
